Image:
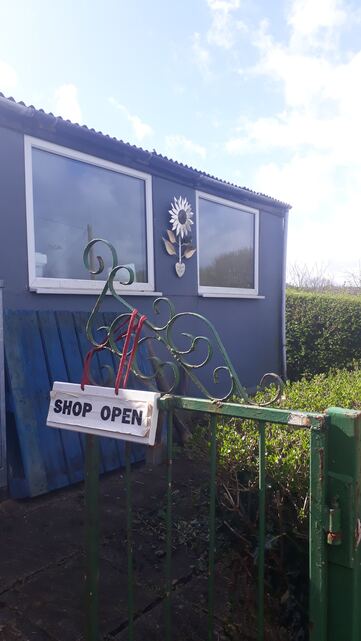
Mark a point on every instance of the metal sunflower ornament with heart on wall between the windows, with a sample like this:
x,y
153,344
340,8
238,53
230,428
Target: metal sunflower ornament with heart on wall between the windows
x,y
181,220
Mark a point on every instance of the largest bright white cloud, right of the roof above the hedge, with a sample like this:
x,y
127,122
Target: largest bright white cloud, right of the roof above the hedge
x,y
315,137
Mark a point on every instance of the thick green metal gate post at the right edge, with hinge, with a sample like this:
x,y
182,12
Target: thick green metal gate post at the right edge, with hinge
x,y
343,525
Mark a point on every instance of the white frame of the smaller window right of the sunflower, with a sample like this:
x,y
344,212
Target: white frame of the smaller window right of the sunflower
x,y
229,292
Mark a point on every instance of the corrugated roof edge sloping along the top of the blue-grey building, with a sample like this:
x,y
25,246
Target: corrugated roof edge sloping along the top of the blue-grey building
x,y
152,154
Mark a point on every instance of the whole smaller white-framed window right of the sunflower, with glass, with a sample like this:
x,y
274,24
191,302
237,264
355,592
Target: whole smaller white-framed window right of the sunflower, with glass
x,y
228,247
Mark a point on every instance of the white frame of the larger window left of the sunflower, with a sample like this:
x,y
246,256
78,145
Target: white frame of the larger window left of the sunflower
x,y
73,285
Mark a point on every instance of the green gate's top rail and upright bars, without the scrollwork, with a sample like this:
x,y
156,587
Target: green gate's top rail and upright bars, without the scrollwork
x,y
316,424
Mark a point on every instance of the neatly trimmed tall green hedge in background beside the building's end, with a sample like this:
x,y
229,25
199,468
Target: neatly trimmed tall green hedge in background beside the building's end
x,y
323,332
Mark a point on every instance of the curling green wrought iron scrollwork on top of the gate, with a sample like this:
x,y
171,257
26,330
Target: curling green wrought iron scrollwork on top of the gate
x,y
196,351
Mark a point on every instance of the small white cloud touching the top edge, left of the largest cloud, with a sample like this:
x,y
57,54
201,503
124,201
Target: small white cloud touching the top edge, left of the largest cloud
x,y
224,27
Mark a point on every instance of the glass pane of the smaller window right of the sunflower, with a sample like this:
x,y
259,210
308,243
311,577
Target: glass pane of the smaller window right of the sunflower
x,y
226,239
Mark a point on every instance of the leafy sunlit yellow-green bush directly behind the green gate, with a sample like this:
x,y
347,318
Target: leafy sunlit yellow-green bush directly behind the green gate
x,y
287,450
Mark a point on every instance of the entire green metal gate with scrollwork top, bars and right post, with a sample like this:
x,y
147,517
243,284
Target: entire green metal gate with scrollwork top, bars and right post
x,y
335,476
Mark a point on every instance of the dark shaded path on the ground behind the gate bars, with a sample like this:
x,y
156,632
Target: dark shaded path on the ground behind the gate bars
x,y
42,560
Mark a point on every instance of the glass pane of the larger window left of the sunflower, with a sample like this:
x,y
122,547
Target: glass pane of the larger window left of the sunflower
x,y
75,202
